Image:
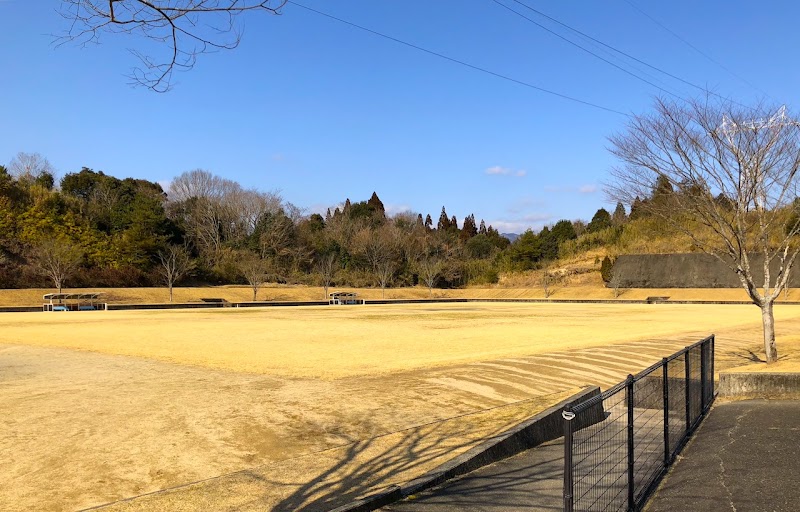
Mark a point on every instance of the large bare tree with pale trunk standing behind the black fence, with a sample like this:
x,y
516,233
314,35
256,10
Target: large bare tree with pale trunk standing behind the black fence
x,y
733,171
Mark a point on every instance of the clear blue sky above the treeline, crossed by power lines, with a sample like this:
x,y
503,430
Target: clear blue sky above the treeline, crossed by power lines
x,y
322,111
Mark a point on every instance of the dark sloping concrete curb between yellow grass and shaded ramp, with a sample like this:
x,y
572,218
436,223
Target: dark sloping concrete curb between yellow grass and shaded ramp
x,y
543,427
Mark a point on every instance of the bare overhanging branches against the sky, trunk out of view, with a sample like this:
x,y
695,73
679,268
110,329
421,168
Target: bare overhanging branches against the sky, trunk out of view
x,y
183,28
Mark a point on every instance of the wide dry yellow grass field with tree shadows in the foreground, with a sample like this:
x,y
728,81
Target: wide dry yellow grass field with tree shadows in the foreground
x,y
297,408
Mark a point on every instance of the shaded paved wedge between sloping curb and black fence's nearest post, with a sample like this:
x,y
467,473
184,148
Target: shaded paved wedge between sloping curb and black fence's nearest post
x,y
530,481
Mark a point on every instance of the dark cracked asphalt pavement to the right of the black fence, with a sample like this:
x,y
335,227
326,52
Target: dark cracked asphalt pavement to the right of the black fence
x,y
745,457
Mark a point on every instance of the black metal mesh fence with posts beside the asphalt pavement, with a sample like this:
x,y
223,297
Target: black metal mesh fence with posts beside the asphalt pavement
x,y
619,444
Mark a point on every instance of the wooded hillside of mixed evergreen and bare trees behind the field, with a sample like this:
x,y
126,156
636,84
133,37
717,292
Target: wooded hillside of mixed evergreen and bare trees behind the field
x,y
94,230
